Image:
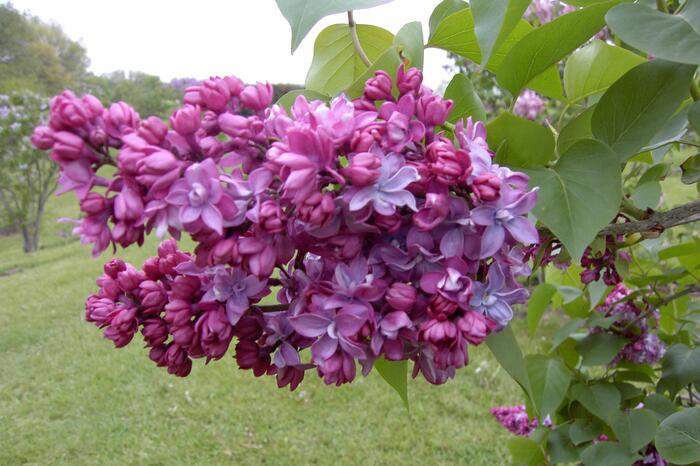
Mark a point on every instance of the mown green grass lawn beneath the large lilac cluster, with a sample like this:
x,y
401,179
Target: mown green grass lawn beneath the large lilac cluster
x,y
68,397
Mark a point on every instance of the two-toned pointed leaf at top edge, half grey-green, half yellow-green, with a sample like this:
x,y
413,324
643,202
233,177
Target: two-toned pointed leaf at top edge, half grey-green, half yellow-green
x,y
494,20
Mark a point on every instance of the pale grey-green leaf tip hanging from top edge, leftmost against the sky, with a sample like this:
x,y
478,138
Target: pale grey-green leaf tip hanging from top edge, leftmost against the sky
x,y
303,14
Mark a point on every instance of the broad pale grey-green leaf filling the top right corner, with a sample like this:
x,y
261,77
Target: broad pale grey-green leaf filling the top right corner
x,y
671,37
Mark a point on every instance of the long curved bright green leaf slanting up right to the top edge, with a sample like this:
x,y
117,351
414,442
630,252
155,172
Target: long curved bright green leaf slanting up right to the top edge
x,y
548,44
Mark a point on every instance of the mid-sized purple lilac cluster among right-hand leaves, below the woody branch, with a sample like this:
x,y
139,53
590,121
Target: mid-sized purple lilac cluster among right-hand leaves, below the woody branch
x,y
633,322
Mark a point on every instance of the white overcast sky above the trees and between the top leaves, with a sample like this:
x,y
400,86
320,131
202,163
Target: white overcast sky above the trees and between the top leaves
x,y
248,38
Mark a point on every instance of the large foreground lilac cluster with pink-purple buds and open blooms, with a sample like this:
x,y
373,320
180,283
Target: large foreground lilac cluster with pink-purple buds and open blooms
x,y
383,236
